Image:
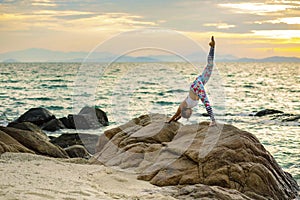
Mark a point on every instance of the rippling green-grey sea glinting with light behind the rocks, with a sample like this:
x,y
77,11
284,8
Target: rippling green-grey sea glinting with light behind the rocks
x,y
126,90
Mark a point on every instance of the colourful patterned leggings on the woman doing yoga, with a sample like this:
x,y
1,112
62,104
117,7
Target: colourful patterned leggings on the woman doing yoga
x,y
198,85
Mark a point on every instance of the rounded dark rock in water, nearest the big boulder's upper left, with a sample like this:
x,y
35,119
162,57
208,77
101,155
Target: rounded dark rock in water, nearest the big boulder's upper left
x,y
94,116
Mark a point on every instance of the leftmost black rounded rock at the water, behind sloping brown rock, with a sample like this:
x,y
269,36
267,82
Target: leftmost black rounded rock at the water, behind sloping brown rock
x,y
36,116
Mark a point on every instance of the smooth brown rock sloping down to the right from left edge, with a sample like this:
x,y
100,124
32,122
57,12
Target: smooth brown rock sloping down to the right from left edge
x,y
35,142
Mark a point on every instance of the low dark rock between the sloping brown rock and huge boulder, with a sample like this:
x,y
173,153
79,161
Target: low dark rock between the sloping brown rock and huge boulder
x,y
65,140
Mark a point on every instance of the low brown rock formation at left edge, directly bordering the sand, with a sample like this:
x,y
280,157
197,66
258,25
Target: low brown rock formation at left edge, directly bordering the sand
x,y
26,137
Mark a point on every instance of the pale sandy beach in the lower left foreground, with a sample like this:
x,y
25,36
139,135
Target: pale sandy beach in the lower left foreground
x,y
27,176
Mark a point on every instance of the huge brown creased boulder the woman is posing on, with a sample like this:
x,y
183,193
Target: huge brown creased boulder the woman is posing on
x,y
172,154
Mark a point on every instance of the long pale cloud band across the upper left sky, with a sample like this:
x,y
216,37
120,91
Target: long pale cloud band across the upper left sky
x,y
69,20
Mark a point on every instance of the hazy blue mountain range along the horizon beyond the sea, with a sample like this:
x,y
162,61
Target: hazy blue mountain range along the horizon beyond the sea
x,y
44,55
